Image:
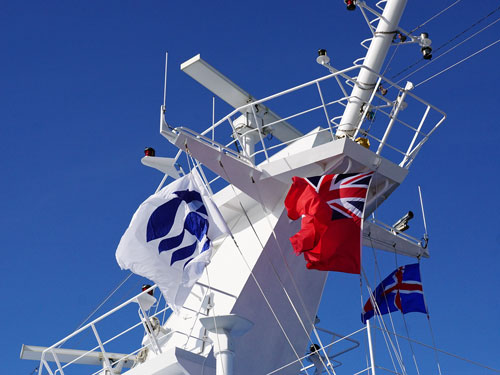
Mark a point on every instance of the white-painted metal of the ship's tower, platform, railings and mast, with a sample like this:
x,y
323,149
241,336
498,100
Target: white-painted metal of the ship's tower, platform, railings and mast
x,y
254,273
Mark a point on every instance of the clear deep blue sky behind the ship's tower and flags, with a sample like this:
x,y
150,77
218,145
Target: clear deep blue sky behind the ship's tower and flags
x,y
81,87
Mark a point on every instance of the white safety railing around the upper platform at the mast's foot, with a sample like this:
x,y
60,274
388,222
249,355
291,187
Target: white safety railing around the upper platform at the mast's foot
x,y
395,121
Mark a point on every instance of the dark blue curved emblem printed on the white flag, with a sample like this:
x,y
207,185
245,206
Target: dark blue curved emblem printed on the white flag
x,y
161,221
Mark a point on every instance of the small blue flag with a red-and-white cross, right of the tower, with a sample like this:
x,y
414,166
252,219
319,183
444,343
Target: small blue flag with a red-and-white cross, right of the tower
x,y
401,290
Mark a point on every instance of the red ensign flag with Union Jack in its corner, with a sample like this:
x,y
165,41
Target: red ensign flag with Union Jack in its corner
x,y
331,207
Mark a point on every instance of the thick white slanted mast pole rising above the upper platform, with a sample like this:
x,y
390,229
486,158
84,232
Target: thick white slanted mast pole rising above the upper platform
x,y
374,59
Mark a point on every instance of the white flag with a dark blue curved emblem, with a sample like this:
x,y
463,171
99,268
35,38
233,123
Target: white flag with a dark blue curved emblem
x,y
169,238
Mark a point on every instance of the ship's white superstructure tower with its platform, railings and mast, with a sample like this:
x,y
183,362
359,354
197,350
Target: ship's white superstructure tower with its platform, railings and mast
x,y
256,294
